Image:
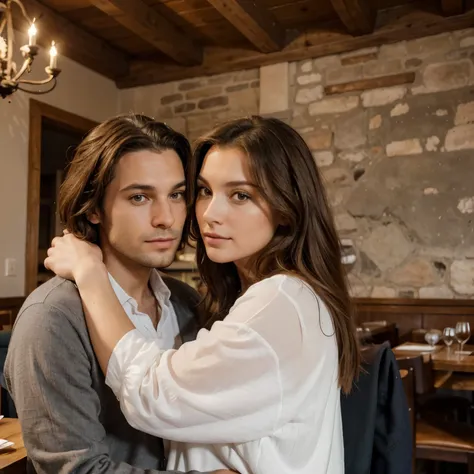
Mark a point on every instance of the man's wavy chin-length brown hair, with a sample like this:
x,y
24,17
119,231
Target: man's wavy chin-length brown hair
x,y
93,166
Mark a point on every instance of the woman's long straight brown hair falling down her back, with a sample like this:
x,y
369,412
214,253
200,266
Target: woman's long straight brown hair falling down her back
x,y
307,245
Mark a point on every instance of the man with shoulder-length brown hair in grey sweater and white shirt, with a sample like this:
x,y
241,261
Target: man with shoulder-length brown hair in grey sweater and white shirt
x,y
125,190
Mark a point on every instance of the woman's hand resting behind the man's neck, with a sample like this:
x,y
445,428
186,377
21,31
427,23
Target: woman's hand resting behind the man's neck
x,y
72,258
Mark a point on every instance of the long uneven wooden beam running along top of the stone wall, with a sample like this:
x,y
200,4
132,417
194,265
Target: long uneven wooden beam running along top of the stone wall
x,y
398,25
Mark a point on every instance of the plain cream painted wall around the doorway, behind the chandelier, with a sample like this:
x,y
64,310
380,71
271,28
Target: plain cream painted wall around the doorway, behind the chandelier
x,y
79,91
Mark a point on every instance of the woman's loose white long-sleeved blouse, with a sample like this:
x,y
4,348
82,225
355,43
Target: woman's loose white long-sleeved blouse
x,y
258,393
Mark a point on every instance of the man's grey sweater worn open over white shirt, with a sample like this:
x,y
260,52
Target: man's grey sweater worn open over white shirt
x,y
71,421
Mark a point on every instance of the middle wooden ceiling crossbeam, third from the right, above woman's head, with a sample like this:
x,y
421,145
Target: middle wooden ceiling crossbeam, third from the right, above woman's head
x,y
254,21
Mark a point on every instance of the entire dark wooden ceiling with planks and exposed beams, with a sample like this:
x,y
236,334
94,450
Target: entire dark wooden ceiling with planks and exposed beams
x,y
140,42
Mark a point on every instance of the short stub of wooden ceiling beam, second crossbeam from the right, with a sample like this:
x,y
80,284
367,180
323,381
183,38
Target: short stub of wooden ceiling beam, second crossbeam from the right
x,y
358,16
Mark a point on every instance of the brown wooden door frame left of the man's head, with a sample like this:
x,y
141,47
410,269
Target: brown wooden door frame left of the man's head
x,y
67,120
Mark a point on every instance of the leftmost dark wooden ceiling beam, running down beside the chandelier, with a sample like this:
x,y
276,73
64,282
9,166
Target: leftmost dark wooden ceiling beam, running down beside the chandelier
x,y
73,42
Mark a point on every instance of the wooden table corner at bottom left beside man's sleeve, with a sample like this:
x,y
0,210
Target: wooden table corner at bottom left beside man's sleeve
x,y
12,459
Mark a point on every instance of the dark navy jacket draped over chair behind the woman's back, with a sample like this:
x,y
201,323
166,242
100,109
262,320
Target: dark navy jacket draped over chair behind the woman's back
x,y
376,423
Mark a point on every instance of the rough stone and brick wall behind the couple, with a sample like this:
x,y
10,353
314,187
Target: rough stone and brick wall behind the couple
x,y
398,161
